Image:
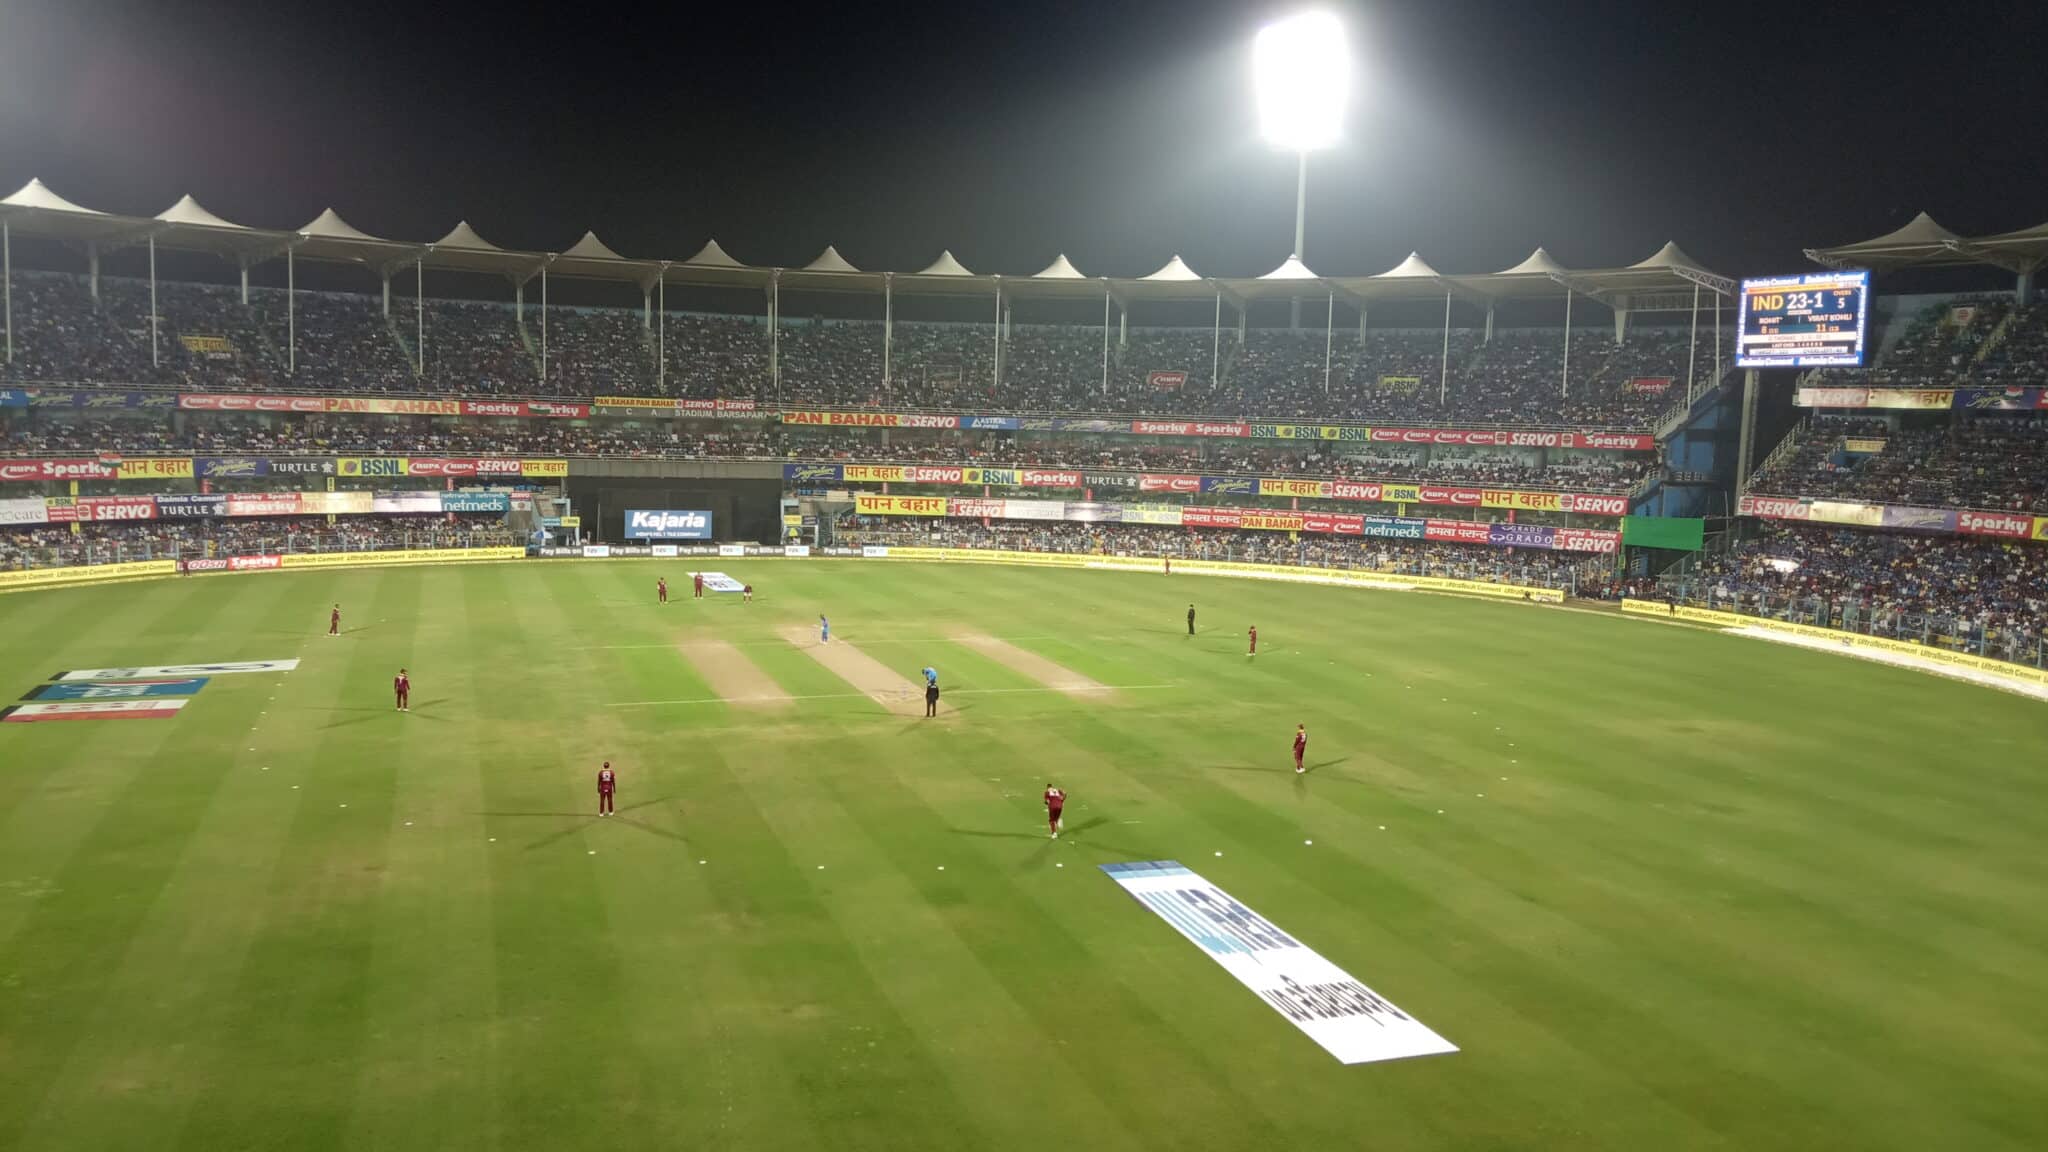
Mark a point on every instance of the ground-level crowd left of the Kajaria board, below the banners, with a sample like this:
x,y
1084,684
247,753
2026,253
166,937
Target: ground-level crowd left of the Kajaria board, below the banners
x,y
48,546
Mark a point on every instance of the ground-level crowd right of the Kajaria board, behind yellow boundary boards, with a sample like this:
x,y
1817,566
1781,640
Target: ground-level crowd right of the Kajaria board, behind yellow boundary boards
x,y
1412,559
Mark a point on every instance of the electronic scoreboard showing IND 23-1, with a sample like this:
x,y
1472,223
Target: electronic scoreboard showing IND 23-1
x,y
1801,323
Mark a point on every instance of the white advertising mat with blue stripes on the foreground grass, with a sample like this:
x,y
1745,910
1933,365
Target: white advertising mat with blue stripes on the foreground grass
x,y
1351,1022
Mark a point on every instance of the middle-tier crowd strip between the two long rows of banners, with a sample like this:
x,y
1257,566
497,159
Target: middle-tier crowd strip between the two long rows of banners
x,y
419,436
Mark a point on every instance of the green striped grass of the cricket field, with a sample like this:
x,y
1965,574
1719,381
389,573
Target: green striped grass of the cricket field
x,y
1664,889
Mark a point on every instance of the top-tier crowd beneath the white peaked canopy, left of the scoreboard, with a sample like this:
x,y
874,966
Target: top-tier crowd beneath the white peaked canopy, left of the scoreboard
x,y
210,339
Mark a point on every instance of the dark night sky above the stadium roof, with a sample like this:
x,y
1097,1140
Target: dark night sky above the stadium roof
x,y
1119,132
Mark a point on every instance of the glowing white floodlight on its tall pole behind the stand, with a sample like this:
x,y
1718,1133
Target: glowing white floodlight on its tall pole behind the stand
x,y
1302,73
